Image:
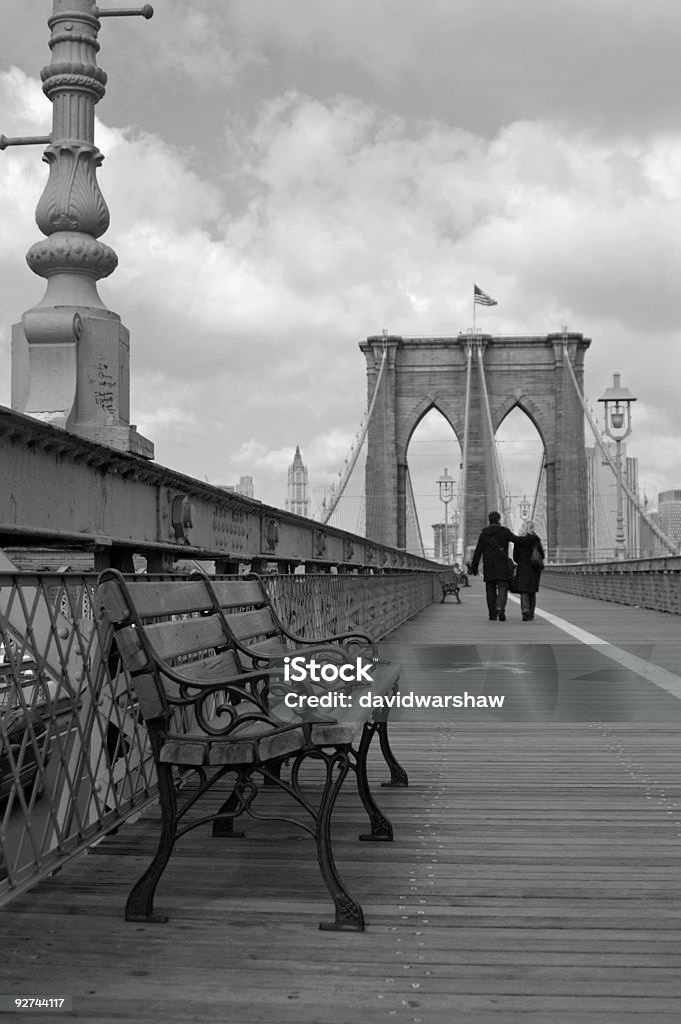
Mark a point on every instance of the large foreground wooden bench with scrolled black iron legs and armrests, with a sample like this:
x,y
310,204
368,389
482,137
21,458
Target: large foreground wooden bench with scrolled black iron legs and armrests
x,y
200,654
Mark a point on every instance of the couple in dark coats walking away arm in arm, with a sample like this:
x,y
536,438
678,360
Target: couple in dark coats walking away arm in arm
x,y
493,548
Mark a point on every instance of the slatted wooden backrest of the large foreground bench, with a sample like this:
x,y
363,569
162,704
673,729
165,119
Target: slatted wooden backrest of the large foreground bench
x,y
171,622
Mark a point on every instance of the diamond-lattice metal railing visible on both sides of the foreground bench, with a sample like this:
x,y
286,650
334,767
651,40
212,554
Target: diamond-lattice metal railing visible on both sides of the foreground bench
x,y
75,761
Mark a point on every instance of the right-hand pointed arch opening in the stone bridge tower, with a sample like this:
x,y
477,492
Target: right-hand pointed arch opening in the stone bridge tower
x,y
522,453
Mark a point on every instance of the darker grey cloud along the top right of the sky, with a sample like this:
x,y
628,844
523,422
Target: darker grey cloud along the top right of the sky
x,y
607,64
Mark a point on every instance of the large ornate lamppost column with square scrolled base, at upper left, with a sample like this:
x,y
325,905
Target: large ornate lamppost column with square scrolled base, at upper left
x,y
70,353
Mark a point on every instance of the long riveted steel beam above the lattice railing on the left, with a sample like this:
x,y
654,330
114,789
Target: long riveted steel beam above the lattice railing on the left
x,y
62,490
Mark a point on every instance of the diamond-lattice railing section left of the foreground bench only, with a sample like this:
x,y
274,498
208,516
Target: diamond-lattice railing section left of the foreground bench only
x,y
74,756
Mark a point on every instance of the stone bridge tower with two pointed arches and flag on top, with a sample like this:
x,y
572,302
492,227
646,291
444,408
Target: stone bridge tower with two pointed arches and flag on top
x,y
431,373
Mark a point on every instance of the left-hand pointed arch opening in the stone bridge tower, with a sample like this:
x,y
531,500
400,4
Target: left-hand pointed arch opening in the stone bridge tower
x,y
433,448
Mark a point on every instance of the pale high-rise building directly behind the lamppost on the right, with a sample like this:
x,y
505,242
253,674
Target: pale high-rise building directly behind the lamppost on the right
x,y
603,500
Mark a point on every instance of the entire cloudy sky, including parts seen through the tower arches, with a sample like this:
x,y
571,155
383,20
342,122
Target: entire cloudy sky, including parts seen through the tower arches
x,y
286,178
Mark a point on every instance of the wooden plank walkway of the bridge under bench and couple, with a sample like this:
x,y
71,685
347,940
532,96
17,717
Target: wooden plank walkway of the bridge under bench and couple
x,y
536,876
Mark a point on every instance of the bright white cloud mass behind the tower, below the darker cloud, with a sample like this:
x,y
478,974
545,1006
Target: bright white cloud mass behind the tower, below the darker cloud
x,y
246,295
